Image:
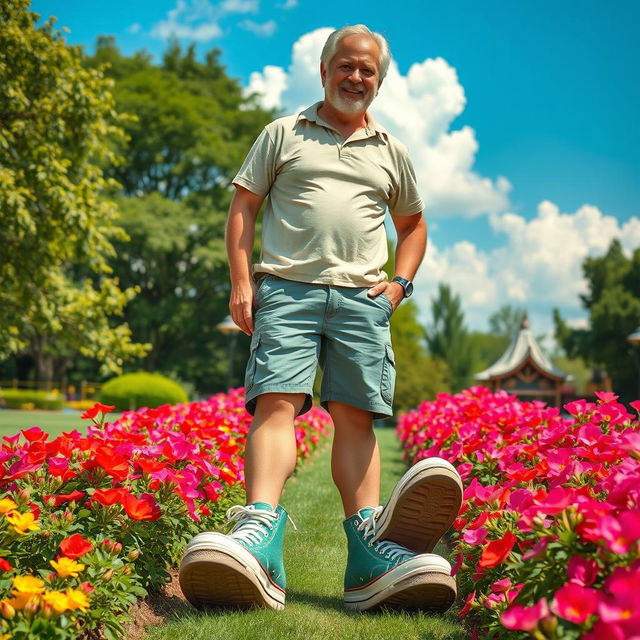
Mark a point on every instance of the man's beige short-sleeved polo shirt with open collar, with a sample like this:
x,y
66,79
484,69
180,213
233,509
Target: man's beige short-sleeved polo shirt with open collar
x,y
327,198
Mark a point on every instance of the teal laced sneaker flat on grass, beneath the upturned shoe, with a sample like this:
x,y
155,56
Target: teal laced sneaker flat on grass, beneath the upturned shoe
x,y
386,574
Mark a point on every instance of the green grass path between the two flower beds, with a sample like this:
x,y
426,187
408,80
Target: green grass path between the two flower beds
x,y
315,557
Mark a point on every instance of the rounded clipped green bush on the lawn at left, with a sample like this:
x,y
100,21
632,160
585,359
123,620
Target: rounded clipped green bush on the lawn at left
x,y
135,390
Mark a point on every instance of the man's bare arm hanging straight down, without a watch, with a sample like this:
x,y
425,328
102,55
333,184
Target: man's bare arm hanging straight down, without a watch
x,y
239,237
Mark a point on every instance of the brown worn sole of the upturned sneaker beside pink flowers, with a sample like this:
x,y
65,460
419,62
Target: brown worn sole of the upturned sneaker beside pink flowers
x,y
422,506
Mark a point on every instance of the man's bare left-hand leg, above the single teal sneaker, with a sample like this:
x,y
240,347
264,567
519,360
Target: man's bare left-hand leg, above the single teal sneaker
x,y
270,456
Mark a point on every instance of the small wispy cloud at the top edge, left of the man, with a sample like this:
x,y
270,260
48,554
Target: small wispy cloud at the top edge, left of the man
x,y
199,19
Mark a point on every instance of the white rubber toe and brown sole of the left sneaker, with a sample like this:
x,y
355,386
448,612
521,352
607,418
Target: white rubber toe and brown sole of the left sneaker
x,y
211,576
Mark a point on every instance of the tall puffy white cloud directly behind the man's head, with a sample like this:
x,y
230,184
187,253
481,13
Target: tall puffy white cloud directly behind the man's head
x,y
418,108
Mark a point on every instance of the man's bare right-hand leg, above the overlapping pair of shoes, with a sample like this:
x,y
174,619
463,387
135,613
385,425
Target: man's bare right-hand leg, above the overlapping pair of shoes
x,y
355,460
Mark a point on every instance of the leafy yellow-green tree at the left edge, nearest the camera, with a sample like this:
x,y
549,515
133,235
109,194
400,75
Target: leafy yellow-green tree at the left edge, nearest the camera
x,y
58,130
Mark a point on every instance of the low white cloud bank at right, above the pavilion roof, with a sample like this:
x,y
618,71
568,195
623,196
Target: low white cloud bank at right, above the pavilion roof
x,y
538,265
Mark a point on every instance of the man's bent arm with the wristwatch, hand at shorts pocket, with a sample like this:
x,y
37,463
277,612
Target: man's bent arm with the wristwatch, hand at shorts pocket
x,y
410,248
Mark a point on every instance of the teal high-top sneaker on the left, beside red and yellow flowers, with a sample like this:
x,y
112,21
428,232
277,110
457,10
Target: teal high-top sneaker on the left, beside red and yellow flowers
x,y
242,569
